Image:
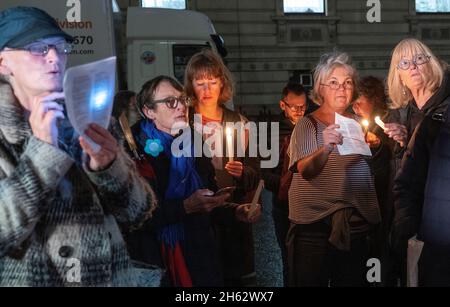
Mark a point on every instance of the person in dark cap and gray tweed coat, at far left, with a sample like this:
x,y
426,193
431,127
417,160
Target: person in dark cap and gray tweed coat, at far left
x,y
60,201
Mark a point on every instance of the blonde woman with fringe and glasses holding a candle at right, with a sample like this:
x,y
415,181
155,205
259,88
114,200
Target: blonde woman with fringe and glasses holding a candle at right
x,y
419,86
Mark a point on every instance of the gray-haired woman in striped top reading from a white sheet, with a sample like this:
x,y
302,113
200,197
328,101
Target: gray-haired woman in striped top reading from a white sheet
x,y
332,201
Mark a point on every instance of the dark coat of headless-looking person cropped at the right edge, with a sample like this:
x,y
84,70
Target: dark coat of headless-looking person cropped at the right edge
x,y
422,198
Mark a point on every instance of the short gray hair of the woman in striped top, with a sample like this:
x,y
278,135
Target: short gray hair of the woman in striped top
x,y
327,63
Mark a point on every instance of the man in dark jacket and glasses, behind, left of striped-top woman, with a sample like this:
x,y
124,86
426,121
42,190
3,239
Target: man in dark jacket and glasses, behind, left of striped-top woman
x,y
293,103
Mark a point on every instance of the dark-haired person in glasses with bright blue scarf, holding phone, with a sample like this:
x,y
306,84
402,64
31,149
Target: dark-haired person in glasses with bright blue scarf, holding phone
x,y
179,237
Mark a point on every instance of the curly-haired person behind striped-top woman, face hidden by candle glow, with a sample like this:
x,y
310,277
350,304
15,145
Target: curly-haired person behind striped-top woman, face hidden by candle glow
x,y
372,102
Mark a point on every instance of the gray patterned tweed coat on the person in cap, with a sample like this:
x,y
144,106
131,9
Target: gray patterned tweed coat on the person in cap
x,y
59,221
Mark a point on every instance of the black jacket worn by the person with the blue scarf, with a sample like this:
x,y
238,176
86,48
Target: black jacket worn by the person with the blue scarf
x,y
200,247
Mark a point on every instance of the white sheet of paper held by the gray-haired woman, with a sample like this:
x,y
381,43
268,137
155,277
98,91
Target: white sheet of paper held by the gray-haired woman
x,y
354,142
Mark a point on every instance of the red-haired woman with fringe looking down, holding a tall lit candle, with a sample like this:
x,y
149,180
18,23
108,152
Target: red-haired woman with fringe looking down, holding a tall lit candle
x,y
209,84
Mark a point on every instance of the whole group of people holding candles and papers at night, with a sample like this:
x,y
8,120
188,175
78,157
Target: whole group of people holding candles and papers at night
x,y
136,212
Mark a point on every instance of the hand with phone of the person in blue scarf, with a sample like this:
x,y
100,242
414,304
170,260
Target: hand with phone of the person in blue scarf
x,y
203,200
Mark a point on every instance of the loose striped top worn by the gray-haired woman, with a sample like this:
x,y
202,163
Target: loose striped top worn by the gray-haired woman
x,y
344,182
